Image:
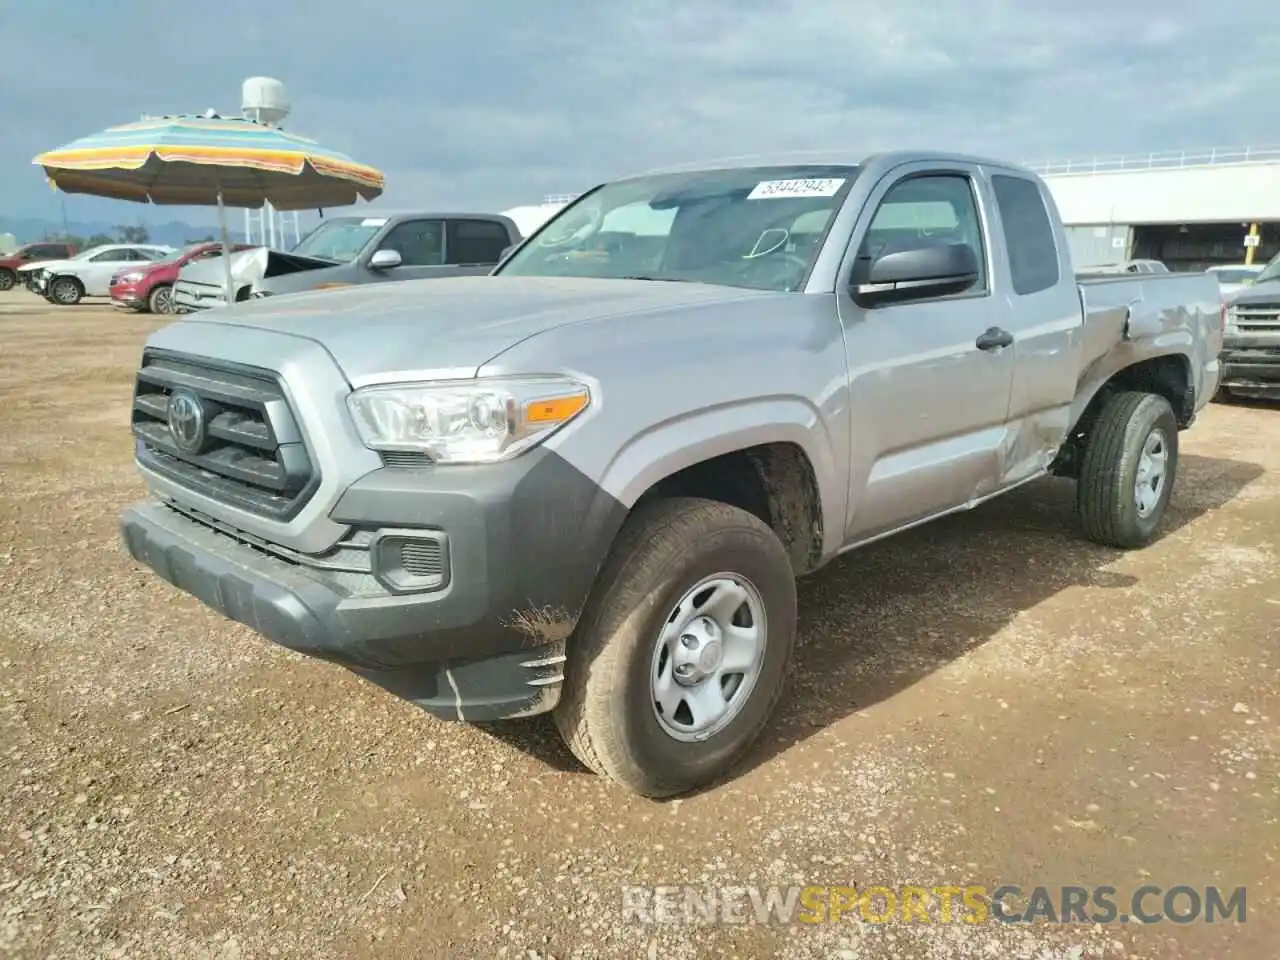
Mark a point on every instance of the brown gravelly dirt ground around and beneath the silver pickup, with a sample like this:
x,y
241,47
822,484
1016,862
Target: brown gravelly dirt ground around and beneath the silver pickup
x,y
986,701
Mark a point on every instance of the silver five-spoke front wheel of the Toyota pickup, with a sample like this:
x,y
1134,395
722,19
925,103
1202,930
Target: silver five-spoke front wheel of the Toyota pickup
x,y
708,657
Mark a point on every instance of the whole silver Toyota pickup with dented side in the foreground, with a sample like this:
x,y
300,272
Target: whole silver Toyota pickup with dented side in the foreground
x,y
587,483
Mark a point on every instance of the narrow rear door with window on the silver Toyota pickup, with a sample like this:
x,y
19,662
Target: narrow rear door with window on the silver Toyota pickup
x,y
1046,322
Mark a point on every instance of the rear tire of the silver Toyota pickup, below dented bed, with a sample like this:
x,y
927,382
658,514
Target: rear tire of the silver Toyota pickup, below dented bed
x,y
1131,427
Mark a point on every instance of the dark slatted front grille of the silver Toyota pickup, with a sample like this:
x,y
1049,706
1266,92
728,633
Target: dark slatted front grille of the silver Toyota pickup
x,y
252,452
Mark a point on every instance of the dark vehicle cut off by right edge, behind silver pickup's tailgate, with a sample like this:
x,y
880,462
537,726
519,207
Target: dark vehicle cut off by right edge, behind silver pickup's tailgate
x,y
1251,353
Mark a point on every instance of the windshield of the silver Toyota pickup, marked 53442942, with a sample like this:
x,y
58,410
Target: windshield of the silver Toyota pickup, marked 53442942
x,y
757,227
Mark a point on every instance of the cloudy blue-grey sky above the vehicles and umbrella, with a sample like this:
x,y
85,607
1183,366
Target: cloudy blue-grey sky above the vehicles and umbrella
x,y
491,104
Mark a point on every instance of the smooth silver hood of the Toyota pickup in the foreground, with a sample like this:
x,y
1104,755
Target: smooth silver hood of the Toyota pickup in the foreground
x,y
447,328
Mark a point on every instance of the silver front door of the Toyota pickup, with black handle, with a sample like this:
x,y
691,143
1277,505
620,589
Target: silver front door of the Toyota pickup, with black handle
x,y
929,405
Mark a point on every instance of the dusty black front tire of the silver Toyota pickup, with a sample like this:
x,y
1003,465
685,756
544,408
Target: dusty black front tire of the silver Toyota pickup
x,y
607,715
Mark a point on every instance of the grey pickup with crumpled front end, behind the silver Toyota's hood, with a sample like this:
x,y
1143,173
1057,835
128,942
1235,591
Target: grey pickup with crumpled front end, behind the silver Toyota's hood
x,y
353,250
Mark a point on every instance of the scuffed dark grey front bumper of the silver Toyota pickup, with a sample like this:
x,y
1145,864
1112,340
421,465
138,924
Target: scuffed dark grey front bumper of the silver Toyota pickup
x,y
486,644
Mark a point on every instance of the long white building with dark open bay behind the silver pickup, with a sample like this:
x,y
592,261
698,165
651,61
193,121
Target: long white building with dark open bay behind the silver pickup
x,y
1187,209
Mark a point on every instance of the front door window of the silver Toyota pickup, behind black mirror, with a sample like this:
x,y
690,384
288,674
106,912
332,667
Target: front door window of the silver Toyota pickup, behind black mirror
x,y
927,212
